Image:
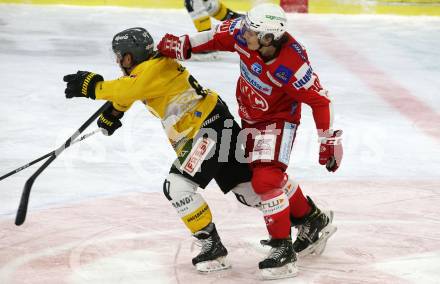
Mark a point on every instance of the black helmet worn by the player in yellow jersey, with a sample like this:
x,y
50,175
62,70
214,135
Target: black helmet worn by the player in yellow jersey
x,y
136,41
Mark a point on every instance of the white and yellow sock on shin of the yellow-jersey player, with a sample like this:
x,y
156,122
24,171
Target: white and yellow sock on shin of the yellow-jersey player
x,y
190,205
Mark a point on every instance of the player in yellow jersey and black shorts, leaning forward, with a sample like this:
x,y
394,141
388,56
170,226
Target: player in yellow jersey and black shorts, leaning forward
x,y
195,120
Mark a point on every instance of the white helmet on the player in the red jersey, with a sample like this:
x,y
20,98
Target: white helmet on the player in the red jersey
x,y
266,19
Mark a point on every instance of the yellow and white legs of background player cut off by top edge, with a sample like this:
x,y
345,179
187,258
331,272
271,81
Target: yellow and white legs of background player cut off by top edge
x,y
201,12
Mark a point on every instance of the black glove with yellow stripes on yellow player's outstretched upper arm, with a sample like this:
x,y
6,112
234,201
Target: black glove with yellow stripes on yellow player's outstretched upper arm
x,y
81,84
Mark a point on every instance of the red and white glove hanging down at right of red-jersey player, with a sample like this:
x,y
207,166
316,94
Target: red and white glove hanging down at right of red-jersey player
x,y
330,151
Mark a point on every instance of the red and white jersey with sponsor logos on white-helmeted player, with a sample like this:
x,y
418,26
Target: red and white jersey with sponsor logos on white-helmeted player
x,y
274,90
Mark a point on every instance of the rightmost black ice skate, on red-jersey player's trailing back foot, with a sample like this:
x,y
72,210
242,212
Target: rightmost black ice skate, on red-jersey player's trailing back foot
x,y
314,231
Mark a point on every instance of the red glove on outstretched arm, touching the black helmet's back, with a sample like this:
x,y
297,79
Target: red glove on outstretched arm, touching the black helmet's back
x,y
175,47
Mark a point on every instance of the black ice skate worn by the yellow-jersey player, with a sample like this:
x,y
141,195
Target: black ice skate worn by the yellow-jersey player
x,y
212,256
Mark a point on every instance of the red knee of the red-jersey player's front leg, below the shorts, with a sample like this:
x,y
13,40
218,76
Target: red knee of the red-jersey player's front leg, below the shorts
x,y
266,179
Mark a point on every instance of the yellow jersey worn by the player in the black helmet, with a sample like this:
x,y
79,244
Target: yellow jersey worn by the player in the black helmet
x,y
169,92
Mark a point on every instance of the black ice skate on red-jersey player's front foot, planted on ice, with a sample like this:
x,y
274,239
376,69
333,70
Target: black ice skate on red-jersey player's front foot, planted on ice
x,y
281,261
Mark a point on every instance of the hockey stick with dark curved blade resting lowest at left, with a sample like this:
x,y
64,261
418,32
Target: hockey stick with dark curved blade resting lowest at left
x,y
24,201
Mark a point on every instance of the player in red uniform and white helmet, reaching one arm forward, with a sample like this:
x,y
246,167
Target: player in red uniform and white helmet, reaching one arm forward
x,y
276,79
